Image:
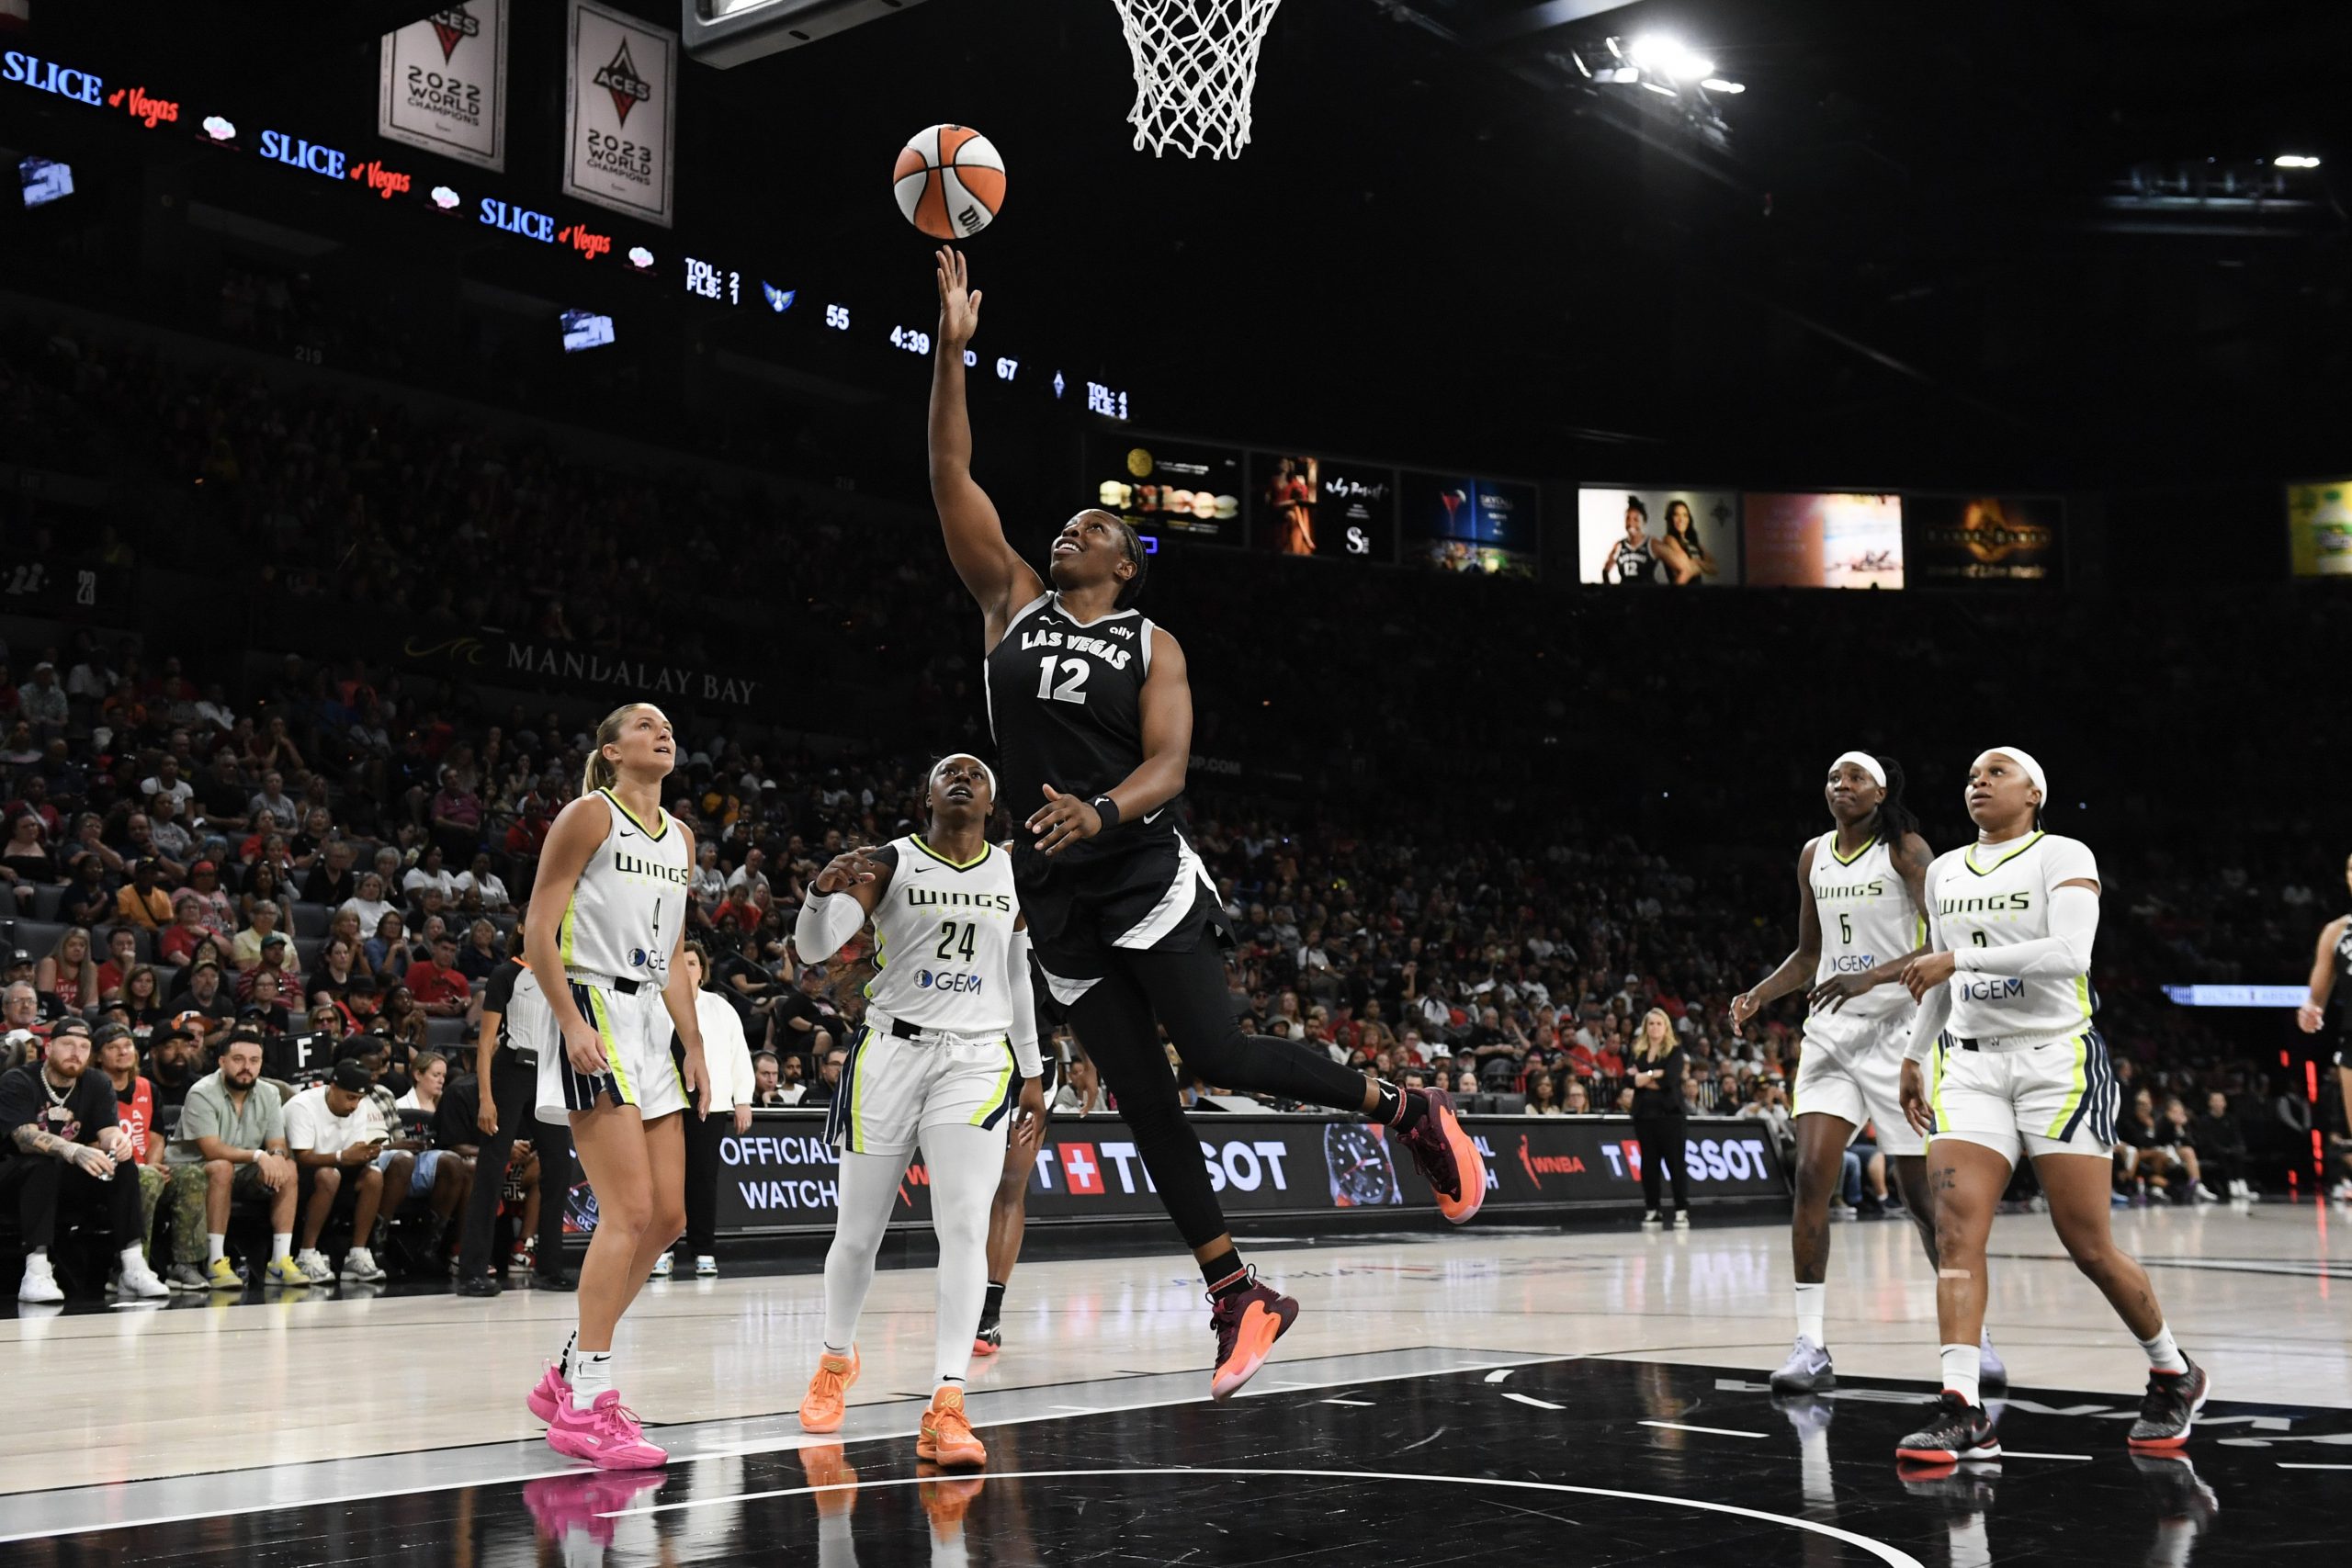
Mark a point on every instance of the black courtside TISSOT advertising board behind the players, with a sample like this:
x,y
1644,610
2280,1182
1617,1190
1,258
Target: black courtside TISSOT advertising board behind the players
x,y
782,1177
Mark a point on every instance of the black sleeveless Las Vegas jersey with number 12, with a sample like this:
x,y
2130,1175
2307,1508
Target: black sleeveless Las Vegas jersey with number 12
x,y
1067,709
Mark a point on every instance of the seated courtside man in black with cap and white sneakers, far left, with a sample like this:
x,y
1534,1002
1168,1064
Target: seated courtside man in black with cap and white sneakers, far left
x,y
62,1146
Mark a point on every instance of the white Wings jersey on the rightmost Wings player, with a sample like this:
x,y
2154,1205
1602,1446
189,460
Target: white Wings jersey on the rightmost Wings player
x,y
2000,897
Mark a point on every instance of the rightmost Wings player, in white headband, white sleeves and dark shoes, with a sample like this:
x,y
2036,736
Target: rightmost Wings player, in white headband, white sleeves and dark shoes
x,y
2007,1021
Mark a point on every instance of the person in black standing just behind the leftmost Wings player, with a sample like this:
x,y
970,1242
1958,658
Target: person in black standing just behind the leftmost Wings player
x,y
507,1087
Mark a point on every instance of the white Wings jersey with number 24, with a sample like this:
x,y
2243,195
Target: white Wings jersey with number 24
x,y
942,937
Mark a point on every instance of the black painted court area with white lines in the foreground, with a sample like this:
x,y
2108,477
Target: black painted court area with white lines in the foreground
x,y
1551,1463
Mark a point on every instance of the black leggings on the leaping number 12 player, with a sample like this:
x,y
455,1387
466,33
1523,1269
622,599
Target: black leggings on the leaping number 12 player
x,y
1187,991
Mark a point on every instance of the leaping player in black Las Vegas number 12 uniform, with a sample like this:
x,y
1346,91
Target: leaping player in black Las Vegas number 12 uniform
x,y
1095,725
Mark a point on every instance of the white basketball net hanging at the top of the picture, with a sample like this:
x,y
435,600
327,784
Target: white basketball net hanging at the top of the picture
x,y
1196,65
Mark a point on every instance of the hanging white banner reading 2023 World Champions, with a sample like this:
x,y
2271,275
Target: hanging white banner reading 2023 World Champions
x,y
620,112
